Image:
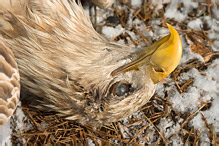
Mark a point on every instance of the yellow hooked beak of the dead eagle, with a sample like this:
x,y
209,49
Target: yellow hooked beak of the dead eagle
x,y
162,57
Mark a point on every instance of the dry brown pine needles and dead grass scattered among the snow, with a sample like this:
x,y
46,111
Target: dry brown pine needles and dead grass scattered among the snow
x,y
48,128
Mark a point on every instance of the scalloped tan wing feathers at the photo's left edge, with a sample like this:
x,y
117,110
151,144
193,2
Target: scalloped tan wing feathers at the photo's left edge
x,y
9,83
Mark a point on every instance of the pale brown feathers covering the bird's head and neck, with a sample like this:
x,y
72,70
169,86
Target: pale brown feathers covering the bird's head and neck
x,y
65,62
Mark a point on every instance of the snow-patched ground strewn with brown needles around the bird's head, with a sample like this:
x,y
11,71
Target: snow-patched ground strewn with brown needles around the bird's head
x,y
183,109
